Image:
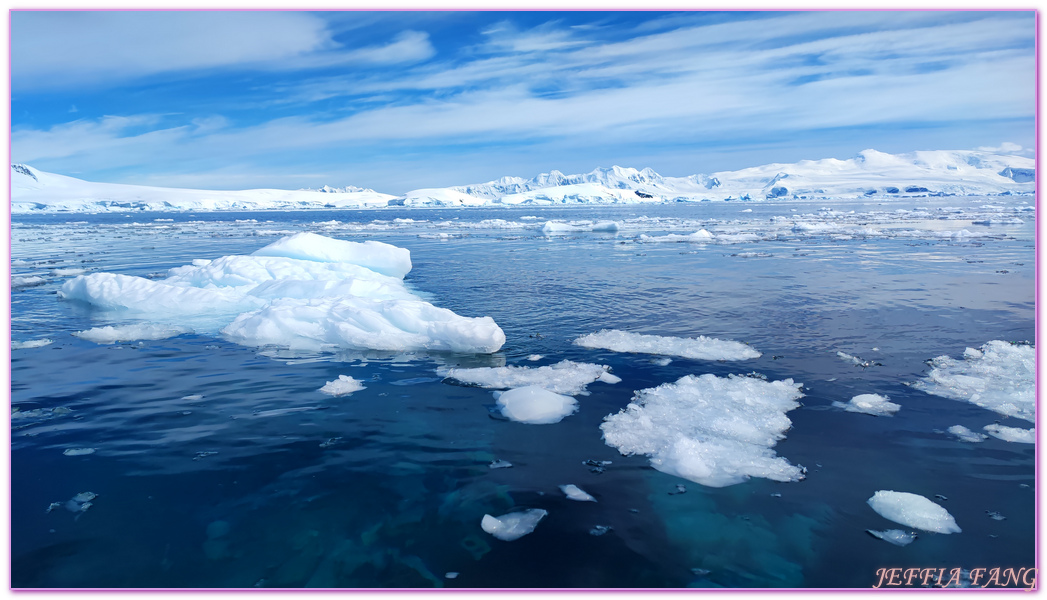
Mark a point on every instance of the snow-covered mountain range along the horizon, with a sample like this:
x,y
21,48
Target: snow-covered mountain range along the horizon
x,y
871,174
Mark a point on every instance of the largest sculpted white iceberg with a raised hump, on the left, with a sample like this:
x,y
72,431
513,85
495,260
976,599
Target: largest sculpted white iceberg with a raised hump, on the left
x,y
304,292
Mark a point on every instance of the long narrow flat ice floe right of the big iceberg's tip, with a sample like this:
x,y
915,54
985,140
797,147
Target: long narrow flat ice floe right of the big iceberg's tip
x,y
701,348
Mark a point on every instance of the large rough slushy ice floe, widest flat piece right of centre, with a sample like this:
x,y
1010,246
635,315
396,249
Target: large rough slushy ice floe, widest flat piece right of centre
x,y
712,431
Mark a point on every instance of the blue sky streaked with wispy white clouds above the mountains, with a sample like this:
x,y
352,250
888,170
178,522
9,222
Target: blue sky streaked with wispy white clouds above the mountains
x,y
406,100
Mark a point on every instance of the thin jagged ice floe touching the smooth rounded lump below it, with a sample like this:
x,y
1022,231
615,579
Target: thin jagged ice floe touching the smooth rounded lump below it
x,y
565,377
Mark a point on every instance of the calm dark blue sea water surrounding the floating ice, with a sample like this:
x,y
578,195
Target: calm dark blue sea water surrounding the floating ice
x,y
218,465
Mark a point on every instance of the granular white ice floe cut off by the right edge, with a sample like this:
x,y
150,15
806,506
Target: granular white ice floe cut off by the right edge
x,y
1000,377
